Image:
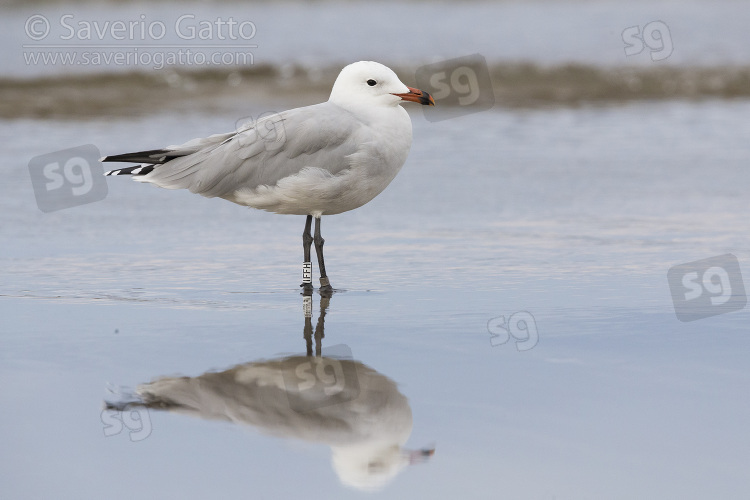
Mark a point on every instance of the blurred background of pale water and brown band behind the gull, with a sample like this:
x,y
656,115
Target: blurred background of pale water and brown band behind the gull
x,y
76,60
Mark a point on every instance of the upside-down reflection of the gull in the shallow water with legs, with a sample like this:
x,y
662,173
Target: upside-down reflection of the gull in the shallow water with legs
x,y
324,398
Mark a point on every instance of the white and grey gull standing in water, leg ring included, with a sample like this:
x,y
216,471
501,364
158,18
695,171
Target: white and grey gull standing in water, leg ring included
x,y
317,160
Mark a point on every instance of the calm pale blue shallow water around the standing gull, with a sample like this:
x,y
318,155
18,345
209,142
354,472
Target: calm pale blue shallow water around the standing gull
x,y
573,216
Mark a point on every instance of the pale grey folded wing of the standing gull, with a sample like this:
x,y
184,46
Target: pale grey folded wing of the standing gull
x,y
275,147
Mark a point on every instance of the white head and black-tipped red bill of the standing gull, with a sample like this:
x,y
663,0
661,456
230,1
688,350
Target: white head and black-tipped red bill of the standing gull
x,y
367,83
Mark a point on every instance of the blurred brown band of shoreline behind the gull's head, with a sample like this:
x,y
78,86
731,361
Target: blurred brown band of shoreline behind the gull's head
x,y
516,85
